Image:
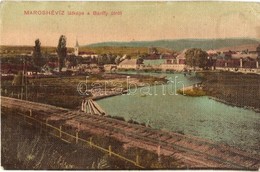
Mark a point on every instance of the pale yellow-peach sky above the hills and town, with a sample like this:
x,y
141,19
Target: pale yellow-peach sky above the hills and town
x,y
139,21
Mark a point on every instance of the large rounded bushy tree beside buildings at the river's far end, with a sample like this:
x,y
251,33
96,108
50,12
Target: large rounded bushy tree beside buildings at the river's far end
x,y
196,57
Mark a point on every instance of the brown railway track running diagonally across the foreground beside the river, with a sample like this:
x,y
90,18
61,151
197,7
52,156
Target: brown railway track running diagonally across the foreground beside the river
x,y
195,152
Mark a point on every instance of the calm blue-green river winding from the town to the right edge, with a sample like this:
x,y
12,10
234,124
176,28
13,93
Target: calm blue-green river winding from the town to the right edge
x,y
202,117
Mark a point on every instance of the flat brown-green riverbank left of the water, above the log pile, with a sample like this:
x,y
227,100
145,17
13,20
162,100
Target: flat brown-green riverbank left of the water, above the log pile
x,y
65,91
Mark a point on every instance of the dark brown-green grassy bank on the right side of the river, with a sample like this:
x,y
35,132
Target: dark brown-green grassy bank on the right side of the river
x,y
236,89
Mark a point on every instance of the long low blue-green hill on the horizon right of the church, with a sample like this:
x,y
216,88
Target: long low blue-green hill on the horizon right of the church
x,y
181,44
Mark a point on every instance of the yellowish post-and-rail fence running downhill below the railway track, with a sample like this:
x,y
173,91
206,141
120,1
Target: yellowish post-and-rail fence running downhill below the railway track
x,y
77,139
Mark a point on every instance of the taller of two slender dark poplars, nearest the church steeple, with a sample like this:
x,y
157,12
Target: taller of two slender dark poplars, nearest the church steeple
x,y
62,51
